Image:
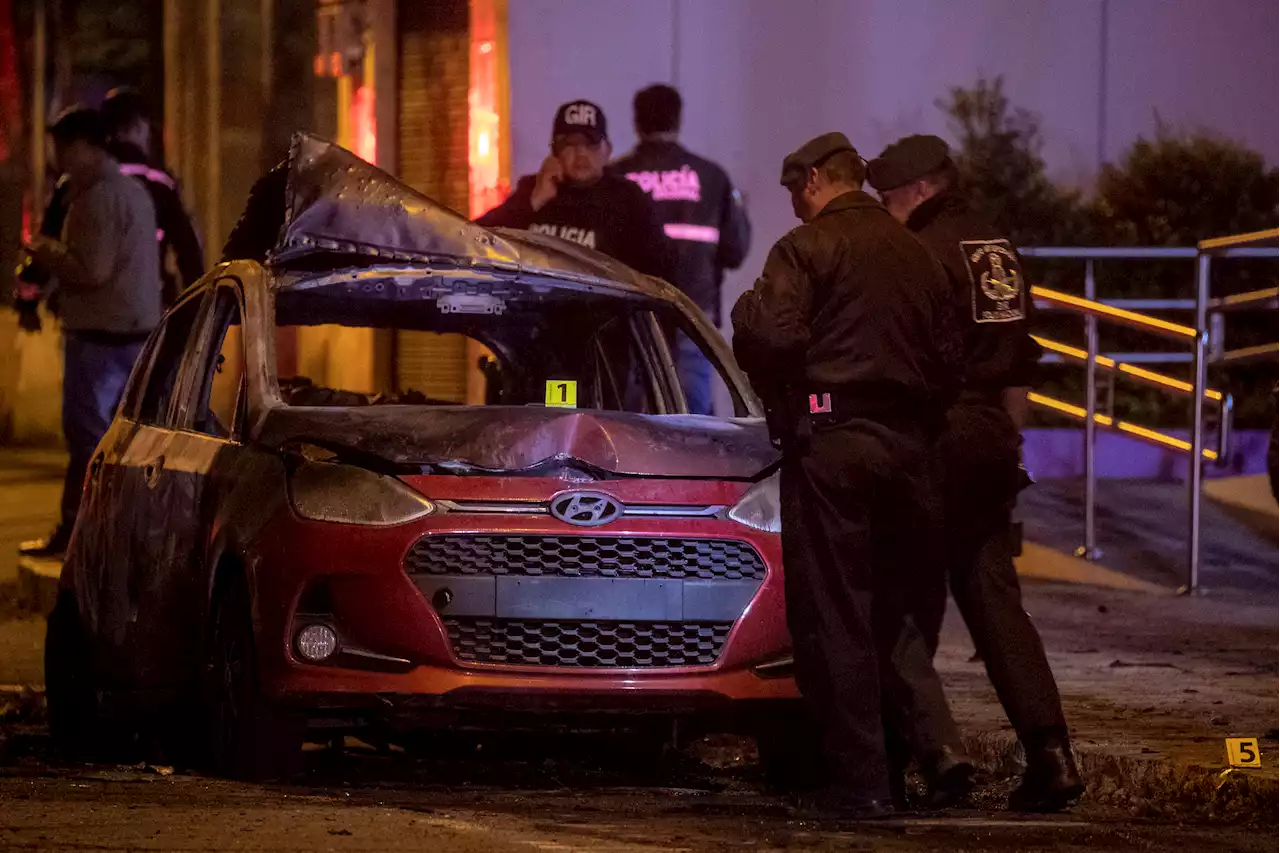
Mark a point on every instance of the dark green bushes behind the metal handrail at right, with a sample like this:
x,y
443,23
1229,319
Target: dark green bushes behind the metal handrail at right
x,y
1174,190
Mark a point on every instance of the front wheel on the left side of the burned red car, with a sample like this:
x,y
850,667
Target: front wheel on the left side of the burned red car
x,y
246,736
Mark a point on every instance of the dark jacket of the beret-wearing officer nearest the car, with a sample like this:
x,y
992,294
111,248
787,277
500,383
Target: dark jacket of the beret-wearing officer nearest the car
x,y
854,305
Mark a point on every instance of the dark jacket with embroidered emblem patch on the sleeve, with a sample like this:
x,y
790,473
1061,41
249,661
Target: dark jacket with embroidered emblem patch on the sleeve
x,y
990,294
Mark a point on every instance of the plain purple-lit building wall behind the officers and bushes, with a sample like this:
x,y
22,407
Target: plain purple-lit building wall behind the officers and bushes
x,y
762,76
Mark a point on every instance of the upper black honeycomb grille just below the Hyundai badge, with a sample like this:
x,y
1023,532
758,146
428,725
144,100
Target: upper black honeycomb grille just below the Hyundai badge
x,y
570,556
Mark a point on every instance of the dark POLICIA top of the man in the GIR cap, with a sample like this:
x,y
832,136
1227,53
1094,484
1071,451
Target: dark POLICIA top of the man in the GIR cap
x,y
611,216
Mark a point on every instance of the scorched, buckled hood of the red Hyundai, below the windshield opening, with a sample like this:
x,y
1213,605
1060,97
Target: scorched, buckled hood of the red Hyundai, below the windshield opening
x,y
516,440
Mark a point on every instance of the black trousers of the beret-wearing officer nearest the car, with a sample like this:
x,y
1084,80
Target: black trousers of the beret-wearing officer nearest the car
x,y
860,516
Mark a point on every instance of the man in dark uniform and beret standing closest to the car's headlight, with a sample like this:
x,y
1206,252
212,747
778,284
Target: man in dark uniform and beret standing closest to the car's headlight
x,y
847,335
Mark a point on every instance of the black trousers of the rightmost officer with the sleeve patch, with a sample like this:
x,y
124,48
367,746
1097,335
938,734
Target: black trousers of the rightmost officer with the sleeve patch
x,y
980,455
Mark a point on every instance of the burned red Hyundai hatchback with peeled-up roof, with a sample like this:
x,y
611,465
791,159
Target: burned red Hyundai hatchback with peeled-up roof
x,y
275,540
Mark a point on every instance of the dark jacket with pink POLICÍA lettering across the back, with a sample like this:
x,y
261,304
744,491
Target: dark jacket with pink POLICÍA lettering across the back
x,y
701,213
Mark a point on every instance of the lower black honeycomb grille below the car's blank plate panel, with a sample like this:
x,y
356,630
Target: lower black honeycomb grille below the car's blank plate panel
x,y
587,645
